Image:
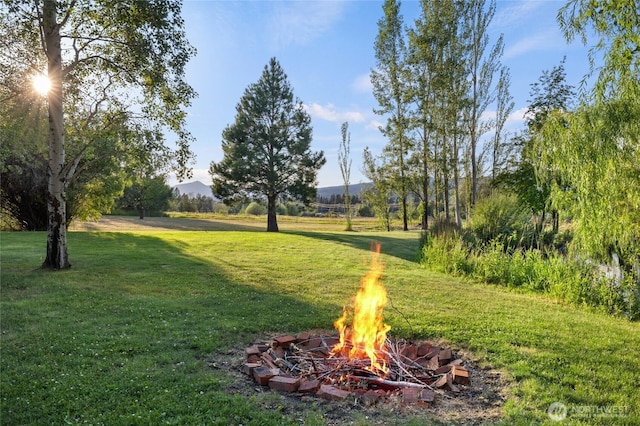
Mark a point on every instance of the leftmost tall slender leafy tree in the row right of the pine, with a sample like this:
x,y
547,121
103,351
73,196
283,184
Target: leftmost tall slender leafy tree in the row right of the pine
x,y
390,88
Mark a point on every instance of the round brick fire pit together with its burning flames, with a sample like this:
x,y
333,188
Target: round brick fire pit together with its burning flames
x,y
361,361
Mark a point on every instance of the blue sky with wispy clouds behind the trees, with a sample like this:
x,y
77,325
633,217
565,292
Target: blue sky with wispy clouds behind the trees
x,y
326,49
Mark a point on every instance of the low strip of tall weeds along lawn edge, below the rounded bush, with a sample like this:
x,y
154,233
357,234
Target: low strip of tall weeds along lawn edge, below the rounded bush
x,y
552,273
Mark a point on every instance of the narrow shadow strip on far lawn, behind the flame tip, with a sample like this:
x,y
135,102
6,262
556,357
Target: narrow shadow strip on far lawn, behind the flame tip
x,y
402,248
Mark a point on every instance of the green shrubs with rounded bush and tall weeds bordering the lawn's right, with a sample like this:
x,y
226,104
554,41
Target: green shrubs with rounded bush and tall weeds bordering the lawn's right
x,y
501,246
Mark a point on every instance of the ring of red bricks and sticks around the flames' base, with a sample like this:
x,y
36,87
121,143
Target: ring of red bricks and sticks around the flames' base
x,y
415,372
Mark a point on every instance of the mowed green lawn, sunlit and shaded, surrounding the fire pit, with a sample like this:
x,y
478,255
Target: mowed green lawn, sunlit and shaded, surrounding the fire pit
x,y
128,334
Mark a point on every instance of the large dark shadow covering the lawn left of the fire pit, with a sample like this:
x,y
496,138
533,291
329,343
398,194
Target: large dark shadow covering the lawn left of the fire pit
x,y
135,317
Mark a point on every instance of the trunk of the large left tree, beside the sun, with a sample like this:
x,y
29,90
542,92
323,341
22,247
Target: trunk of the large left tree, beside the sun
x,y
57,256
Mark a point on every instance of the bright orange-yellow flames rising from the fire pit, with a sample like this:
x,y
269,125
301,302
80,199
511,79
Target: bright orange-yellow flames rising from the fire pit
x,y
365,338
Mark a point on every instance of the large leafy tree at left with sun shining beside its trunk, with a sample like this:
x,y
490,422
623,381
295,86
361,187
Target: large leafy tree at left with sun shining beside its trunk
x,y
128,58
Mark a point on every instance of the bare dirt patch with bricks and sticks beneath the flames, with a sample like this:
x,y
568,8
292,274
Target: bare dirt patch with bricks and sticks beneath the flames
x,y
297,373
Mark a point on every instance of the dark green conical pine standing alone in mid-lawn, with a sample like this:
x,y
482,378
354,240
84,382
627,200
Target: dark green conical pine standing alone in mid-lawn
x,y
267,149
